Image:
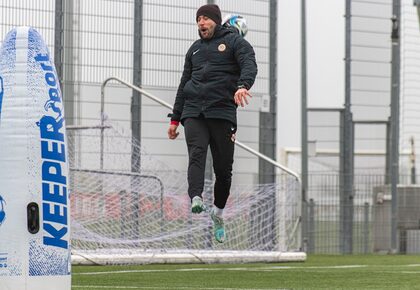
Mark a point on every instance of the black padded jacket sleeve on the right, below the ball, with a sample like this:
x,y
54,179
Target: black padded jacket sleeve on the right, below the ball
x,y
245,56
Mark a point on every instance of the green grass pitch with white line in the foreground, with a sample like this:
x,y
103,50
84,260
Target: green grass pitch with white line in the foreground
x,y
318,272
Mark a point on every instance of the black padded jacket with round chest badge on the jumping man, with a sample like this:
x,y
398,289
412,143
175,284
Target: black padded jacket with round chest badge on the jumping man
x,y
213,70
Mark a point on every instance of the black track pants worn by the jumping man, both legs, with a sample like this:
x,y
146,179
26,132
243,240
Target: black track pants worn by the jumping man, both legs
x,y
199,134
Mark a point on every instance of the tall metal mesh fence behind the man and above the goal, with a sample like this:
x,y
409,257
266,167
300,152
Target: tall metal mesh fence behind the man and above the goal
x,y
144,42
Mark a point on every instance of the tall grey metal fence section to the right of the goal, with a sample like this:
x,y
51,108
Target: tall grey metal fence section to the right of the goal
x,y
354,152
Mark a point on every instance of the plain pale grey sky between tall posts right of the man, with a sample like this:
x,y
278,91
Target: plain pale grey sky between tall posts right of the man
x,y
325,65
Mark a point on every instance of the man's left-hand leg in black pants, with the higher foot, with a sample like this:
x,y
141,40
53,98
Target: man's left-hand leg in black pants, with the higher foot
x,y
197,138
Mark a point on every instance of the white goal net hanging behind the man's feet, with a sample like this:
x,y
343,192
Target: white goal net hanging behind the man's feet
x,y
124,216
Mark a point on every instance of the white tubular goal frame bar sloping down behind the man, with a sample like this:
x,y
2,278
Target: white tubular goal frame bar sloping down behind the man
x,y
165,104
